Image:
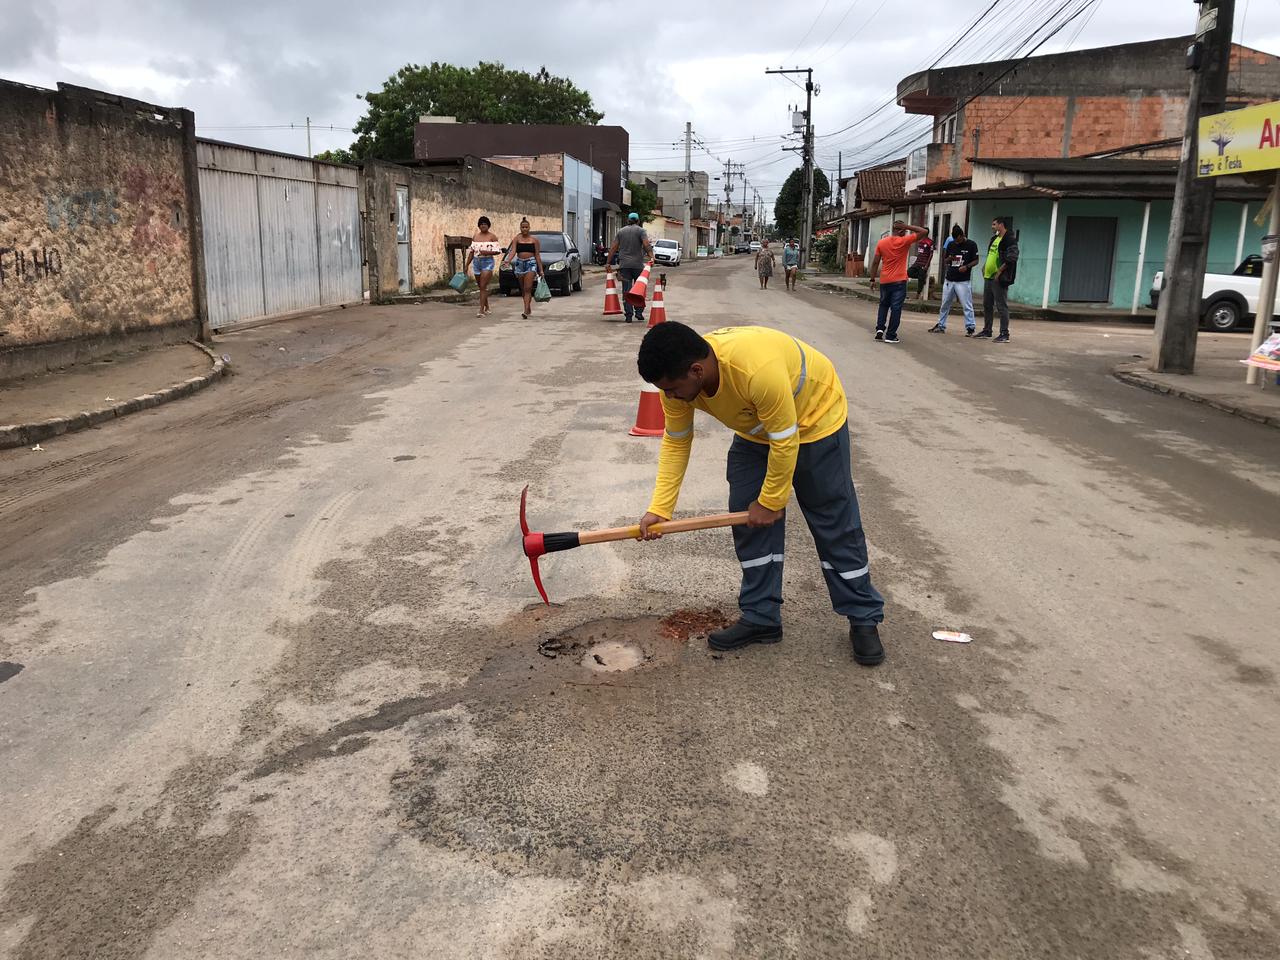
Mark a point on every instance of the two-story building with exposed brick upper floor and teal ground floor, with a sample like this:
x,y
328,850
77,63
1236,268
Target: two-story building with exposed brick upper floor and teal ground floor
x,y
1080,149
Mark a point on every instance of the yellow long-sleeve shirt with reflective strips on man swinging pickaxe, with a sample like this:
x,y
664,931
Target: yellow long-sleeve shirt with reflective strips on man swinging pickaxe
x,y
775,391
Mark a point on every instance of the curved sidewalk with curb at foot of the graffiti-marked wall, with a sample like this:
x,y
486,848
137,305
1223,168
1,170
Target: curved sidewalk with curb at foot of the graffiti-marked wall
x,y
35,409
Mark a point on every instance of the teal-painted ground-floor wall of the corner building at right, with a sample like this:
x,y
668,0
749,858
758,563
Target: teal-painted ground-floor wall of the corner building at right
x,y
1032,221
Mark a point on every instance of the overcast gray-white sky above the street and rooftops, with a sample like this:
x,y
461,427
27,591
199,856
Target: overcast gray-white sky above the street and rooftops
x,y
248,65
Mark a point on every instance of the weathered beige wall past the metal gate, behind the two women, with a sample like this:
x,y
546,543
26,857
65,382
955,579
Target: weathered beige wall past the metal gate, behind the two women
x,y
446,202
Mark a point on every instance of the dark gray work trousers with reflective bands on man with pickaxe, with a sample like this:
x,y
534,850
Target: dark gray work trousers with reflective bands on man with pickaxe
x,y
824,486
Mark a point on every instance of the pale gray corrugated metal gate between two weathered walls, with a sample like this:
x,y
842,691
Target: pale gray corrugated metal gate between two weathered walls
x,y
282,234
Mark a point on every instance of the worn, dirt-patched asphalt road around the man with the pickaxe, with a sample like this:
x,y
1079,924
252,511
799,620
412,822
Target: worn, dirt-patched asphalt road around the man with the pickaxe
x,y
286,692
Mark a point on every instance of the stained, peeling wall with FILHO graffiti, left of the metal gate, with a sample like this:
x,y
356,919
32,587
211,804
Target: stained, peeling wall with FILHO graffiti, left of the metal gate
x,y
99,226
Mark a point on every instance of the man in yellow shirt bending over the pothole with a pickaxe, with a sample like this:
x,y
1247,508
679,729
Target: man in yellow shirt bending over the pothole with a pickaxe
x,y
789,410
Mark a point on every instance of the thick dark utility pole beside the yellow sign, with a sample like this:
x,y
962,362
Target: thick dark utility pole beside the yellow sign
x,y
1178,317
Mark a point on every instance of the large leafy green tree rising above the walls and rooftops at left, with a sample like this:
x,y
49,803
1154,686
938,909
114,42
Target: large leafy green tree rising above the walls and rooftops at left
x,y
487,93
